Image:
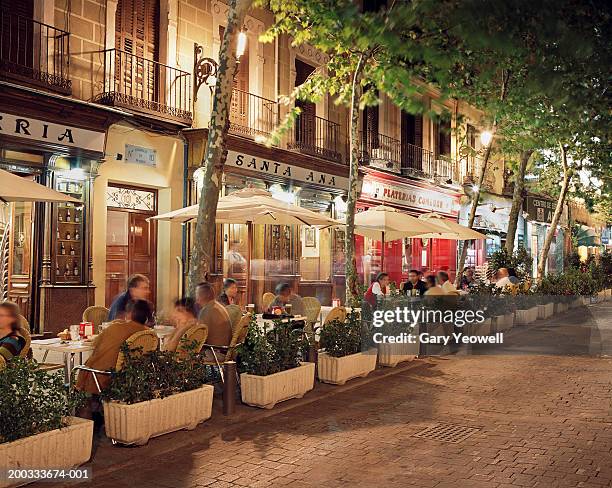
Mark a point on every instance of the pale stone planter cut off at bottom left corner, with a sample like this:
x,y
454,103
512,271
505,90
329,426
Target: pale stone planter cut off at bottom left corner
x,y
61,448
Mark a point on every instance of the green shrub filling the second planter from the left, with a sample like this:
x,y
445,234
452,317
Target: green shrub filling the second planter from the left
x,y
156,374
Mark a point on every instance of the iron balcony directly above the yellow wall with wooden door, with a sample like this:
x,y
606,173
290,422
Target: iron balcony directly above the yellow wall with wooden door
x,y
146,86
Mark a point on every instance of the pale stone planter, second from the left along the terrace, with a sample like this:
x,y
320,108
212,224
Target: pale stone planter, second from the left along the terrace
x,y
137,423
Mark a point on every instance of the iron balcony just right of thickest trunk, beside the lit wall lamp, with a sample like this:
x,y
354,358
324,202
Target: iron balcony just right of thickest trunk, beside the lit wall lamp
x,y
252,115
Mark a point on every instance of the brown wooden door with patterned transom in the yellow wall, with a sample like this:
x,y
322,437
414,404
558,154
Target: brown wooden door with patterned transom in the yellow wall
x,y
131,244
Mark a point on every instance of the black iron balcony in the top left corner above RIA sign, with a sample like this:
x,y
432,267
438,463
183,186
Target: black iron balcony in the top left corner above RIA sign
x,y
34,53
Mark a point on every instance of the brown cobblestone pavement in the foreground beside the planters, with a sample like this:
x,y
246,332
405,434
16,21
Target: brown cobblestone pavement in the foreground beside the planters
x,y
536,420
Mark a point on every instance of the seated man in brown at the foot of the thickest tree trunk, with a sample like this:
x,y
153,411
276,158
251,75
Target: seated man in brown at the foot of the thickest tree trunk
x,y
213,315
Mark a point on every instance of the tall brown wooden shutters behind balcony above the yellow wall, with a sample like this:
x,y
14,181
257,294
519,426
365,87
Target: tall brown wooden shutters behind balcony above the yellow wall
x,y
137,36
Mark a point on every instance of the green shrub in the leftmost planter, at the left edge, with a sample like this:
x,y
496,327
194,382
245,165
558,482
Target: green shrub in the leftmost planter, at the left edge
x,y
33,401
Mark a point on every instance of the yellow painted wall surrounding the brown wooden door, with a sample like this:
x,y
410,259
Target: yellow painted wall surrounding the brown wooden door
x,y
167,177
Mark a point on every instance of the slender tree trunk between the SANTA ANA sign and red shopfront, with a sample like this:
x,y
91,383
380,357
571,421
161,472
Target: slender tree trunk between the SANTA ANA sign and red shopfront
x,y
349,241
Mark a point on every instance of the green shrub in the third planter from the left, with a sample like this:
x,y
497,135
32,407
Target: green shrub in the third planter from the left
x,y
268,351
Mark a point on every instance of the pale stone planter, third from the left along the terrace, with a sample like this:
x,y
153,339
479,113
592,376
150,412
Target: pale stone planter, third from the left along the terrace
x,y
267,391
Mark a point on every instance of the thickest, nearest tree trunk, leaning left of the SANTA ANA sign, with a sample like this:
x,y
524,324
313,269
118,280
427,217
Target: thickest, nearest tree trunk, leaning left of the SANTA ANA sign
x,y
202,253
